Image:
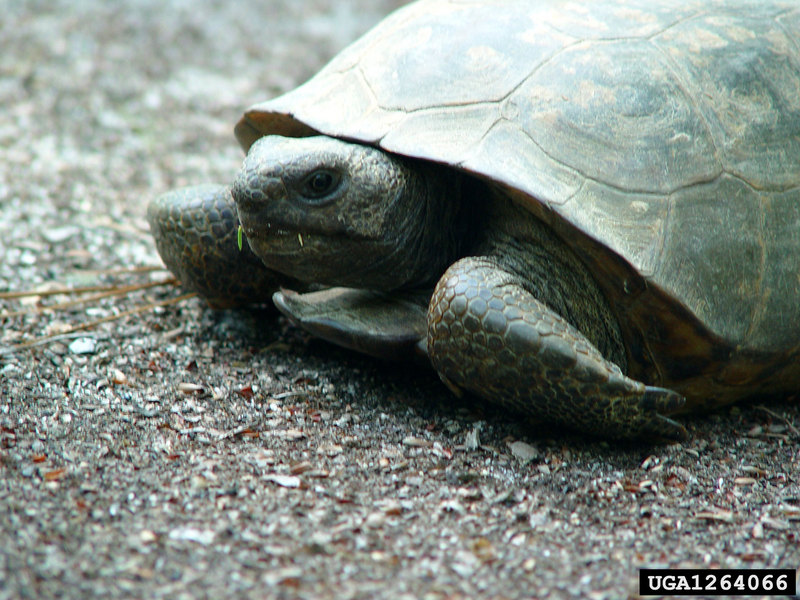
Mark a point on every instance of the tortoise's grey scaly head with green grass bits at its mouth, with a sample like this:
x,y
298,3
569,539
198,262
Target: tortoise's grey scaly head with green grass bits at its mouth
x,y
336,213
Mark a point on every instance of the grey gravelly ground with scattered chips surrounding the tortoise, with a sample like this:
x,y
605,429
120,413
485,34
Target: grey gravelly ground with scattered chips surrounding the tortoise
x,y
182,453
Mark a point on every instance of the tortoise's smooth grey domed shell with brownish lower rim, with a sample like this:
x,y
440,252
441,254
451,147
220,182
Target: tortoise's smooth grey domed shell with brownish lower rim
x,y
661,138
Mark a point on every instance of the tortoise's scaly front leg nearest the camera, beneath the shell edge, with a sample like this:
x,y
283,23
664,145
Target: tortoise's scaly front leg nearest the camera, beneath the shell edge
x,y
490,336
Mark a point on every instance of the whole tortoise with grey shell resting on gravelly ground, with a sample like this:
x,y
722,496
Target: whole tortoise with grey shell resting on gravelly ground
x,y
587,212
